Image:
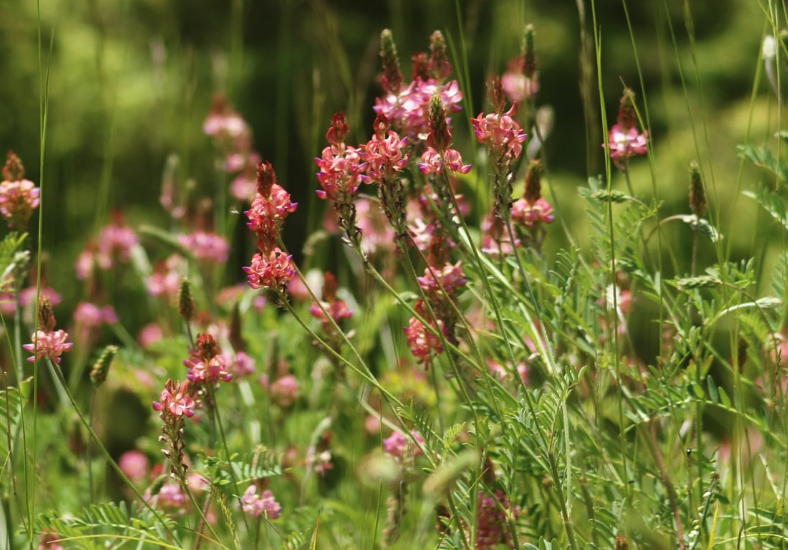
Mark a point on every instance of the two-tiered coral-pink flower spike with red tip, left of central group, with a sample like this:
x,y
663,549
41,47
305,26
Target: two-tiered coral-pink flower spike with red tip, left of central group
x,y
270,267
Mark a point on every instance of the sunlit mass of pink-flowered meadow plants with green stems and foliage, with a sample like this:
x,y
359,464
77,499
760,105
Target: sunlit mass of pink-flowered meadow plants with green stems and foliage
x,y
472,372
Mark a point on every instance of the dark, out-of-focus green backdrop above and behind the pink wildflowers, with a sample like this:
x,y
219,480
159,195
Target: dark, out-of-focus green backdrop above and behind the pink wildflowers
x,y
132,80
